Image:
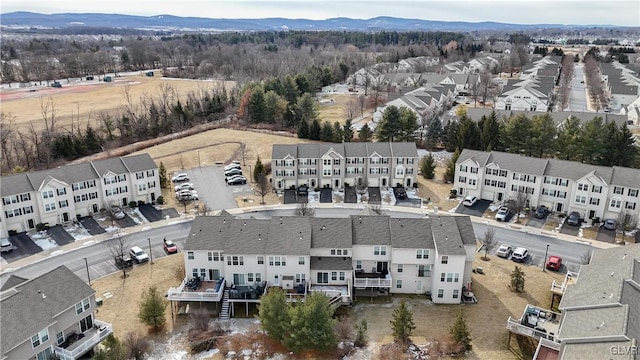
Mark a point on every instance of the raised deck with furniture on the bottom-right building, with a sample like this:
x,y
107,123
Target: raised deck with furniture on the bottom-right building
x,y
536,323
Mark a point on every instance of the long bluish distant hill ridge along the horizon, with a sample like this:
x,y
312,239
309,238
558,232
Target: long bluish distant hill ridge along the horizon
x,y
169,22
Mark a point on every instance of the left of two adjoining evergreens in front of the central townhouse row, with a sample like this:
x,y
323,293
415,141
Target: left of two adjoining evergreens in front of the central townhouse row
x,y
274,315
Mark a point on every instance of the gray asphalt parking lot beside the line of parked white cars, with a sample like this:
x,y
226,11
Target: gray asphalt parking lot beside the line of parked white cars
x,y
213,190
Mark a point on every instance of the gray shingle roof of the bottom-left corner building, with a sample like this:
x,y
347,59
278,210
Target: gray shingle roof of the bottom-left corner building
x,y
26,312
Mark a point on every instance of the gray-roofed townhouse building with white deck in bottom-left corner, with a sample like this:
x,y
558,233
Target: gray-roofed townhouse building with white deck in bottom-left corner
x,y
53,315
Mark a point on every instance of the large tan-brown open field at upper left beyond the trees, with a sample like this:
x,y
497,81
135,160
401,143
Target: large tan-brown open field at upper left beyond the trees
x,y
86,100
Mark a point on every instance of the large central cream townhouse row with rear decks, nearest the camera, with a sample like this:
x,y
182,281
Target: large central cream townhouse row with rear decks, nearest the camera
x,y
363,252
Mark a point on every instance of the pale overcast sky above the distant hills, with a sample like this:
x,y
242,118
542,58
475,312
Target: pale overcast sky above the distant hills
x,y
570,12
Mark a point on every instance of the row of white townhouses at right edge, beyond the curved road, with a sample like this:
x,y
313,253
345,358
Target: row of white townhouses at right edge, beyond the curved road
x,y
563,186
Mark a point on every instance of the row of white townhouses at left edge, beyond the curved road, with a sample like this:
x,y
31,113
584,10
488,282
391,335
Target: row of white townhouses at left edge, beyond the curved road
x,y
62,194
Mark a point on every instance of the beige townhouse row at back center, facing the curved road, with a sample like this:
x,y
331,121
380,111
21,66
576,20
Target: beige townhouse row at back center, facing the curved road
x,y
377,164
